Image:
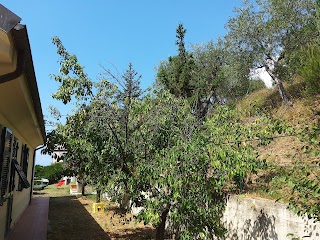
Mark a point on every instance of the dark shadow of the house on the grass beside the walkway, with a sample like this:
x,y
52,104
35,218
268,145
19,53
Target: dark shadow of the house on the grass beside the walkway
x,y
69,220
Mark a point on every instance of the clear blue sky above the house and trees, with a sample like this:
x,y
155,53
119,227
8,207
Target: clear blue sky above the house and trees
x,y
113,33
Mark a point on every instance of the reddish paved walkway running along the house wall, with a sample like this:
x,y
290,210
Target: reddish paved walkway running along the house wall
x,y
33,223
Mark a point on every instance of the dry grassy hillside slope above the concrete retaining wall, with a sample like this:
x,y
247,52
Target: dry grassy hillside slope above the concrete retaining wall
x,y
293,170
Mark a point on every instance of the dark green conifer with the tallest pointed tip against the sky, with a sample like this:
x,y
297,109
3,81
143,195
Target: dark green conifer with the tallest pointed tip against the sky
x,y
193,75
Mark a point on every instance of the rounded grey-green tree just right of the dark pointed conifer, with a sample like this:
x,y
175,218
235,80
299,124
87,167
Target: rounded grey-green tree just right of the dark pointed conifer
x,y
219,75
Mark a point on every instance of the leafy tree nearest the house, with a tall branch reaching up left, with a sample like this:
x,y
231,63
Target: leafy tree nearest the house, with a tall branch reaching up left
x,y
94,154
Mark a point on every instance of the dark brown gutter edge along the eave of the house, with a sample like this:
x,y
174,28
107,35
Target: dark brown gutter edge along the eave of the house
x,y
22,43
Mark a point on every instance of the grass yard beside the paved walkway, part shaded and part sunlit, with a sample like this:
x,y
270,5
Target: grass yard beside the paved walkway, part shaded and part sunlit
x,y
71,218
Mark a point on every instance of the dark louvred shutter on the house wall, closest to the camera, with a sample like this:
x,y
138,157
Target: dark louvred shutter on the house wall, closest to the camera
x,y
6,161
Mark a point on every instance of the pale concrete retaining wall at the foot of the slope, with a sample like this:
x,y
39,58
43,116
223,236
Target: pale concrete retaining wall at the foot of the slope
x,y
262,219
